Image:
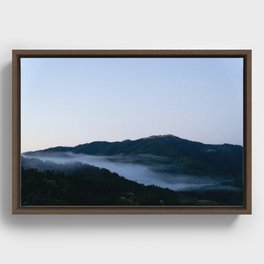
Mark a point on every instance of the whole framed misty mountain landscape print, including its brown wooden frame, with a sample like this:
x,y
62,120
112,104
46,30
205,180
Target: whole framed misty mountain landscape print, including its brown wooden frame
x,y
131,131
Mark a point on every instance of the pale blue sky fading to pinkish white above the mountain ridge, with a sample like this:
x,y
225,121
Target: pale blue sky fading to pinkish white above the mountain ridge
x,y
71,101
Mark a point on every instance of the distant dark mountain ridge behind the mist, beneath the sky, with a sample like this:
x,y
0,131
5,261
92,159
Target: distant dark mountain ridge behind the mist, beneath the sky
x,y
188,157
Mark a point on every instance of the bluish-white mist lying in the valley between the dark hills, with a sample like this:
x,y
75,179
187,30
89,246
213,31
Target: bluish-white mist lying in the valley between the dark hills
x,y
144,169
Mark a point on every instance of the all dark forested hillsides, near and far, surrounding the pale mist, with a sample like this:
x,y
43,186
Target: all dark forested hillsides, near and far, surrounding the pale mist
x,y
56,184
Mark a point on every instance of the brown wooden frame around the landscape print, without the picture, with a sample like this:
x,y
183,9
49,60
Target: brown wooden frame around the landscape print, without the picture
x,y
244,208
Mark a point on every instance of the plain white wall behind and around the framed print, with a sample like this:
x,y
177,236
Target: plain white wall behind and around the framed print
x,y
137,24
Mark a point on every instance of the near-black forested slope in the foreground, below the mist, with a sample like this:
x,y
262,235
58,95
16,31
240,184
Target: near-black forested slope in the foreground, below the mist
x,y
89,185
